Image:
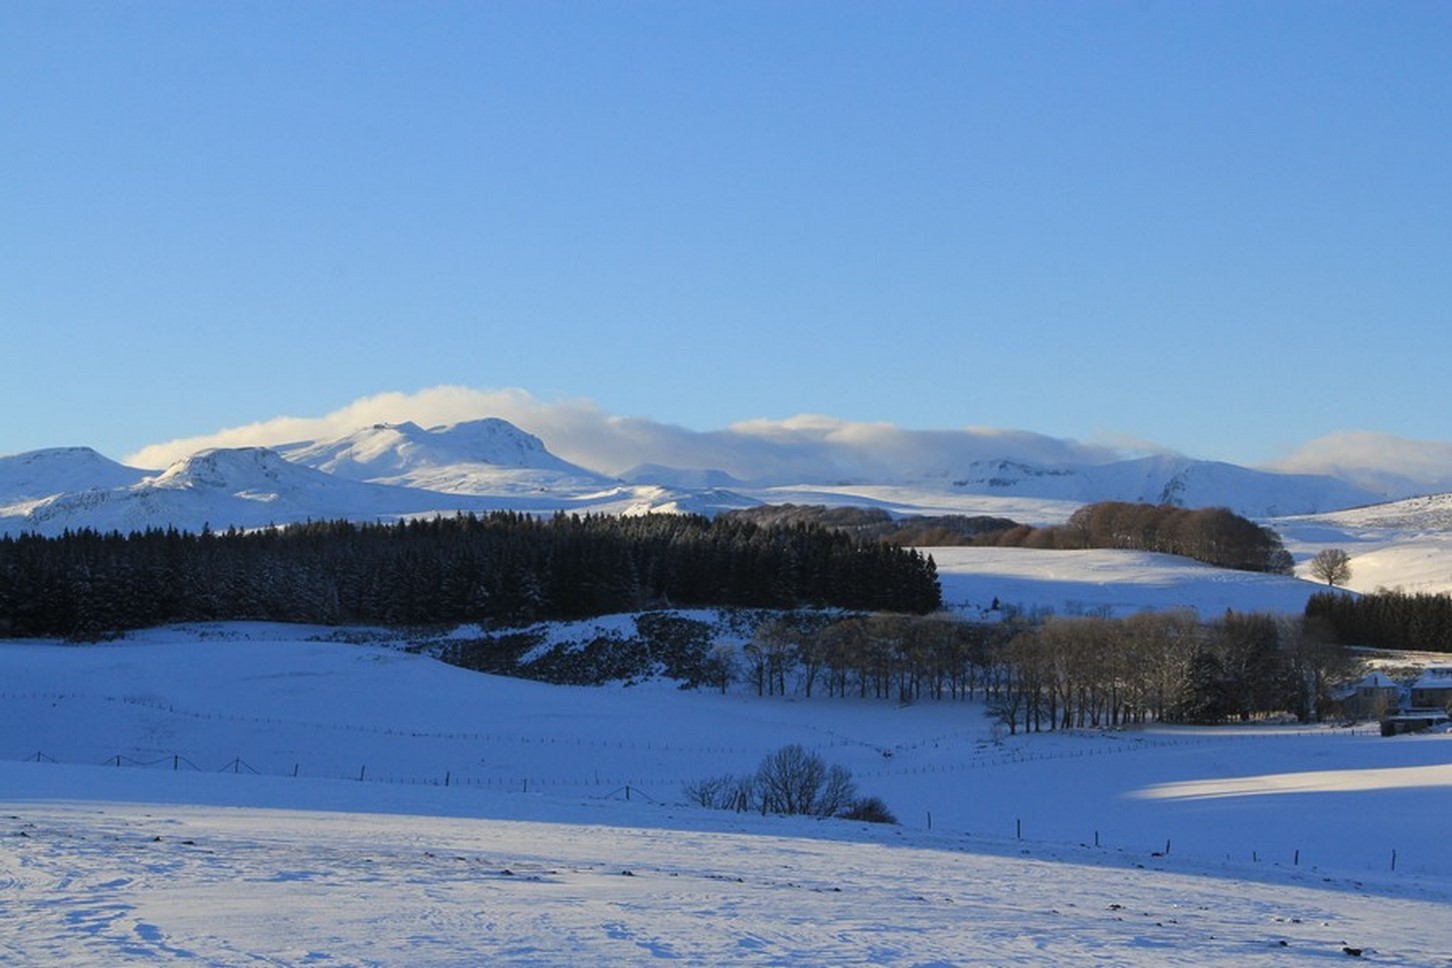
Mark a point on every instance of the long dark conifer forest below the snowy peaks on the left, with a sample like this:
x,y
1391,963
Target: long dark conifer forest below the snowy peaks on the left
x,y
500,568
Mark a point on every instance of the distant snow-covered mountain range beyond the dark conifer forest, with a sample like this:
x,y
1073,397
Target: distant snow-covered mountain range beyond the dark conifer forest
x,y
393,471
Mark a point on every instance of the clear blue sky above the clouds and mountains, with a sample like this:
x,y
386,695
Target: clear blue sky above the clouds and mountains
x,y
1220,227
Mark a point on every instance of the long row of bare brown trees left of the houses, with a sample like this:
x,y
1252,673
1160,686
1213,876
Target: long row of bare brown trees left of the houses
x,y
1058,673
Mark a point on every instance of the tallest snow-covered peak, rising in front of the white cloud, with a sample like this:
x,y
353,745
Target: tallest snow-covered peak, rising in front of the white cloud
x,y
486,456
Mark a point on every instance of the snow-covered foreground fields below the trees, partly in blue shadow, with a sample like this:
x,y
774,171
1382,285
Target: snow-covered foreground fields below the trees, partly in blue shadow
x,y
248,795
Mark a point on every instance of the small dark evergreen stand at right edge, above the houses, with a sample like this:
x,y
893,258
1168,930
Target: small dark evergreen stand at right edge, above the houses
x,y
1390,620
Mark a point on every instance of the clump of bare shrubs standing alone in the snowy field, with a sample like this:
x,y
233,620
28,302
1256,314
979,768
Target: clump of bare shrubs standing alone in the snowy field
x,y
792,782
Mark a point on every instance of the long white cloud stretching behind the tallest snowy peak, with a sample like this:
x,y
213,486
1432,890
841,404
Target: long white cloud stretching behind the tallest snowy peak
x,y
798,449
